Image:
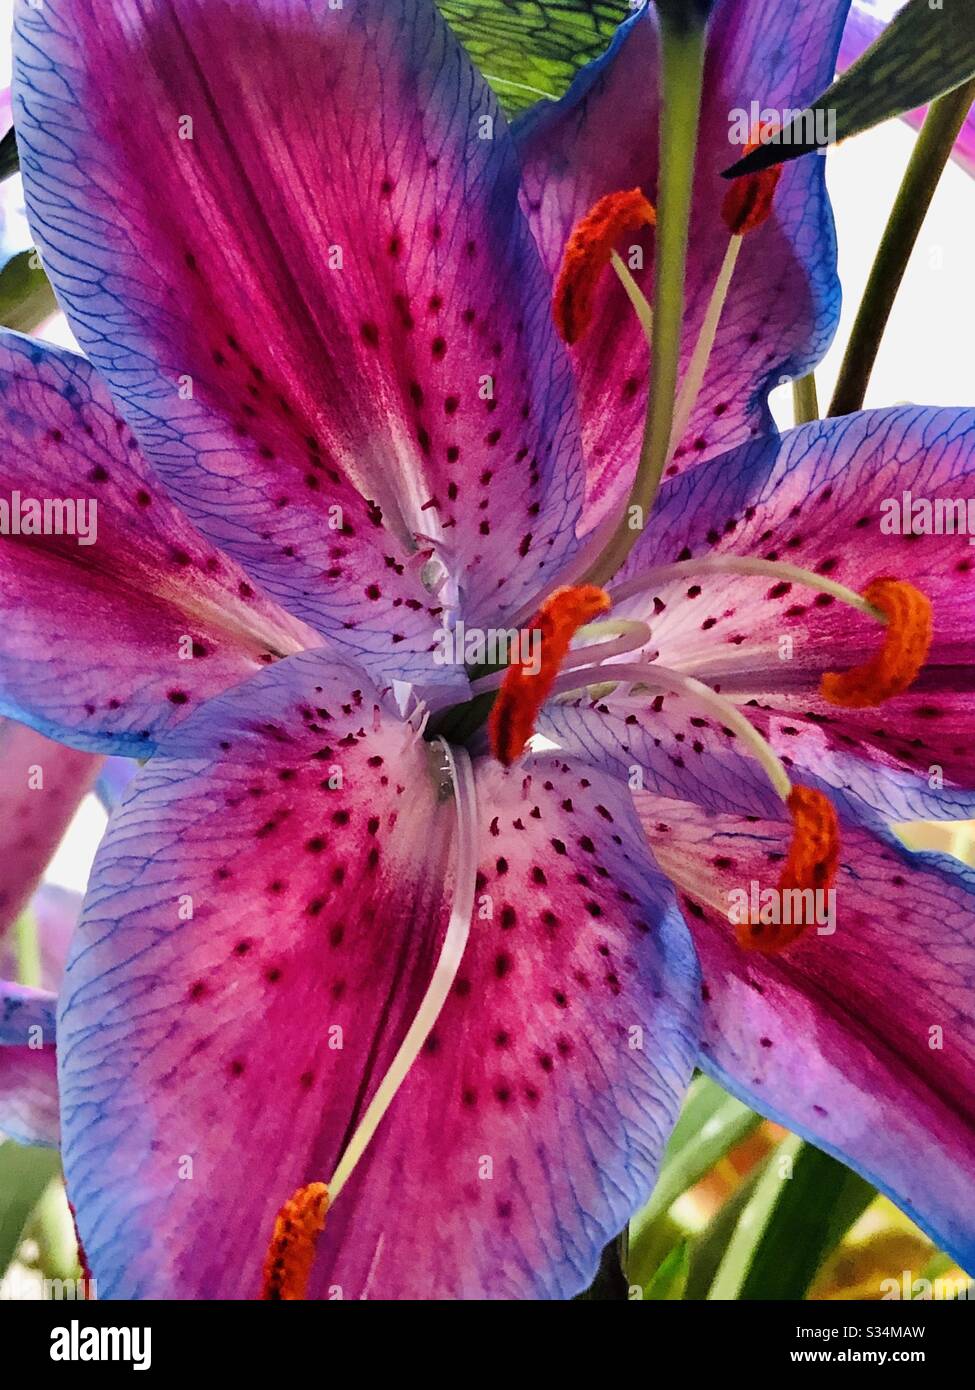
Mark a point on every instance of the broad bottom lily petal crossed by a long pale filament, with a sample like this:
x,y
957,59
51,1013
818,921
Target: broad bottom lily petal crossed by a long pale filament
x,y
319,908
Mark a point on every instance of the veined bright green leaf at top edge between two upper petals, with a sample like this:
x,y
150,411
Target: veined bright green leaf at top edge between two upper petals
x,y
532,49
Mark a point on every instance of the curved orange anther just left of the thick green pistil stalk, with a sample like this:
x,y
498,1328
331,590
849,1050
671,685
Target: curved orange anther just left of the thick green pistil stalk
x,y
588,255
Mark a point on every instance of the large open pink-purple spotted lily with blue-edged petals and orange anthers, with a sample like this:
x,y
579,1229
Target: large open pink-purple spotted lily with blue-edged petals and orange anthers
x,y
348,954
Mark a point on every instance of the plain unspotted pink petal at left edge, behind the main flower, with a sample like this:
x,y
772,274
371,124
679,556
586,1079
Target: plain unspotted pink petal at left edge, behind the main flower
x,y
42,785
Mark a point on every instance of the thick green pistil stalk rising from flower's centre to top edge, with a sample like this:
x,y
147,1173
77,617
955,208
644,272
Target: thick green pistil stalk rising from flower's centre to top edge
x,y
682,62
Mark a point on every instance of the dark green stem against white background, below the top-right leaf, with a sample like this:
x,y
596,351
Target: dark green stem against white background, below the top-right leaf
x,y
931,154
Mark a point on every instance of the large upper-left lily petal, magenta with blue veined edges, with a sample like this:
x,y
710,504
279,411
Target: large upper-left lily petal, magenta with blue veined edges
x,y
340,268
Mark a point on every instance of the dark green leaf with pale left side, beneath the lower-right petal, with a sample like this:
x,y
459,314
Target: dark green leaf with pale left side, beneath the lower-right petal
x,y
802,1209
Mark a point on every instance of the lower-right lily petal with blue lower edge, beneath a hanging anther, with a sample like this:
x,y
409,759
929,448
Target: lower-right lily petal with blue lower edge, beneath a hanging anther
x,y
863,1040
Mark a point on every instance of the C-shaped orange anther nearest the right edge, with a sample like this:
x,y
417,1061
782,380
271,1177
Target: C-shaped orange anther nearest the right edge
x,y
906,646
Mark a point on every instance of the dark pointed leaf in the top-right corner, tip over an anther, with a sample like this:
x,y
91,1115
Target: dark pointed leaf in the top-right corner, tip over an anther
x,y
924,52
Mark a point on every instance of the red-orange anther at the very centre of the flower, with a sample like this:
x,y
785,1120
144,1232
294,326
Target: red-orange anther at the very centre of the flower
x,y
522,694
